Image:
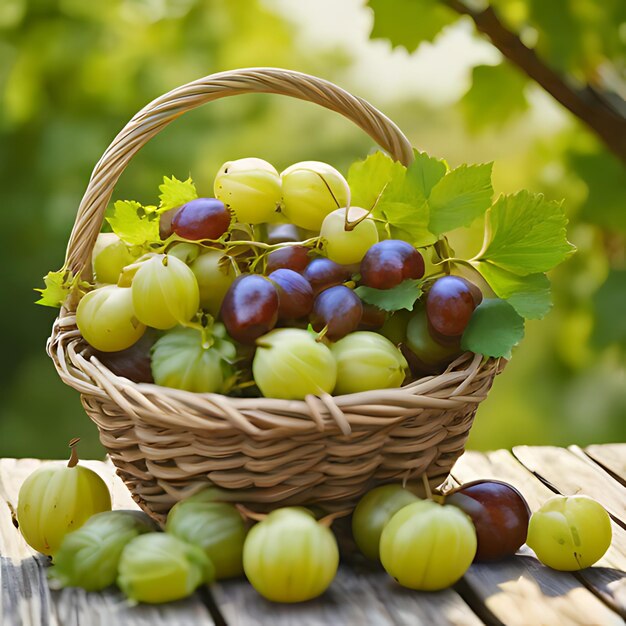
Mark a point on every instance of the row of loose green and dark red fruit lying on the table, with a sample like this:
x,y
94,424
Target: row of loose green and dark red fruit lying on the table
x,y
289,555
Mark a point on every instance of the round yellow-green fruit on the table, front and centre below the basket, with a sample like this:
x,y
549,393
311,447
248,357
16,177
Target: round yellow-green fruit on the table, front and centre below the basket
x,y
290,557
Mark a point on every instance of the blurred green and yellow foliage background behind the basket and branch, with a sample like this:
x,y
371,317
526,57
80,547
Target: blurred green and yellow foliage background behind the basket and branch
x,y
72,73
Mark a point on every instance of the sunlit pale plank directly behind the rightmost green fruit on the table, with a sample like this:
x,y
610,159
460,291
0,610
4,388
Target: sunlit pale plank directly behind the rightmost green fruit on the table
x,y
571,474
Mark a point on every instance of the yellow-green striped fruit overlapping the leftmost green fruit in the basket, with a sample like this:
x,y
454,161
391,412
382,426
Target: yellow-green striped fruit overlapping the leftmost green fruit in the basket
x,y
165,292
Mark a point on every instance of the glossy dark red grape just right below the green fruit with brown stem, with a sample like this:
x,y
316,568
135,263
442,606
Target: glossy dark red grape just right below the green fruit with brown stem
x,y
387,263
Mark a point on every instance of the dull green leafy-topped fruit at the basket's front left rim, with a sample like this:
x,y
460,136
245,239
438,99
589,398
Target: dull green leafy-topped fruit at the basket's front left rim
x,y
181,360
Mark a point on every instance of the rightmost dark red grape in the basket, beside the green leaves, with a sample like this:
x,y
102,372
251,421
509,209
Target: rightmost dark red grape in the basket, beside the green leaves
x,y
449,305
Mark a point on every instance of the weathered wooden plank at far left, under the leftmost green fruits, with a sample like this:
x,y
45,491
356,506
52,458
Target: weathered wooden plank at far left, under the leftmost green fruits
x,y
25,598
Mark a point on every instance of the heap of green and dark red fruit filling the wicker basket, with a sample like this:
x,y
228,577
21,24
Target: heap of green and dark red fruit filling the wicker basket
x,y
258,288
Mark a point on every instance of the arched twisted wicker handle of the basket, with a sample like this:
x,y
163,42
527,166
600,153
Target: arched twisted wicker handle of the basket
x,y
160,112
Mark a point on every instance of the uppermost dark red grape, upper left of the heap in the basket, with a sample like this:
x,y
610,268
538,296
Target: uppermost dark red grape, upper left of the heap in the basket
x,y
202,218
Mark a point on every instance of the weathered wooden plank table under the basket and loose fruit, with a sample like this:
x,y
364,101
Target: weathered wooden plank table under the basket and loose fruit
x,y
518,590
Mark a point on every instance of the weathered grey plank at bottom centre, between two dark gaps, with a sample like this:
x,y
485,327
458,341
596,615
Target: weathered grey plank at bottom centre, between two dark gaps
x,y
358,595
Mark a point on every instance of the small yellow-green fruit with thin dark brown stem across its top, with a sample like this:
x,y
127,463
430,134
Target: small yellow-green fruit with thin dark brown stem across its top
x,y
348,246
